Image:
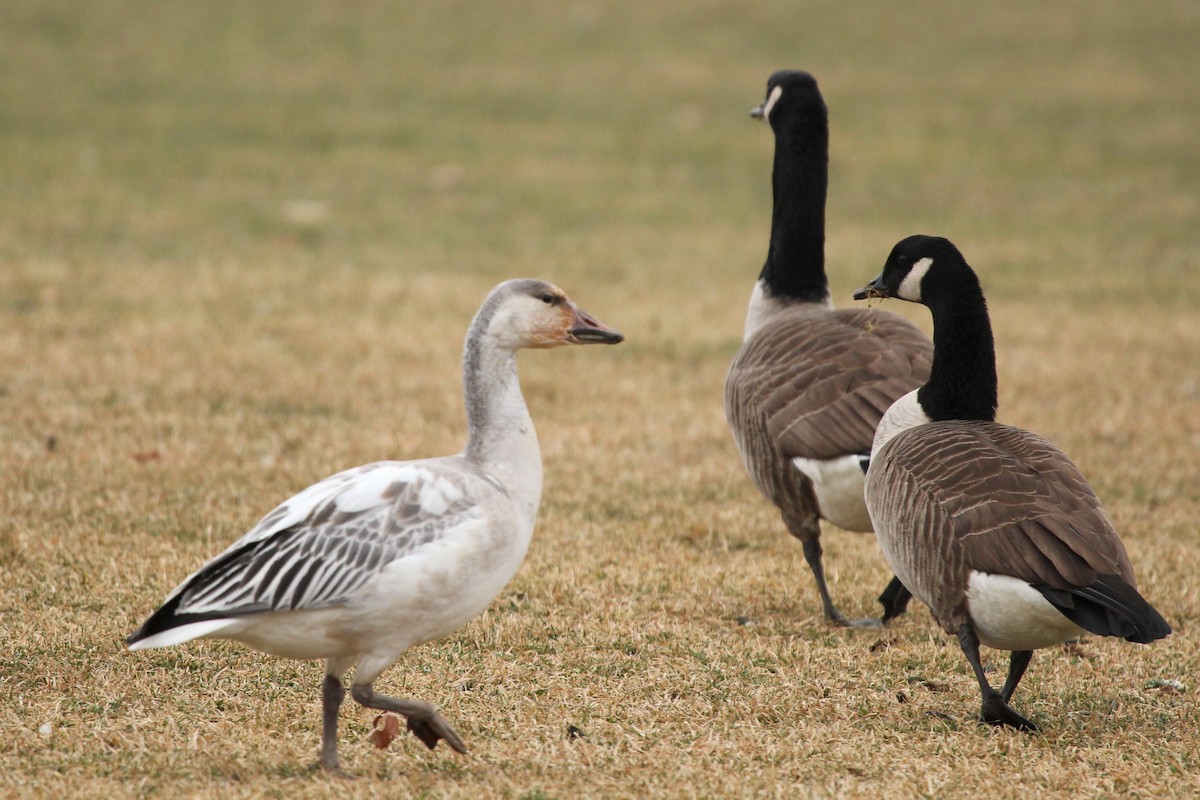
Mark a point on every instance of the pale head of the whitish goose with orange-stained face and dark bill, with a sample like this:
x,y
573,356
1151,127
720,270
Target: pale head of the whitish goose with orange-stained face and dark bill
x,y
531,314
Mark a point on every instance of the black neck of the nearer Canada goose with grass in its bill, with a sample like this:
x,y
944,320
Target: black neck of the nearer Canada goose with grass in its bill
x,y
963,381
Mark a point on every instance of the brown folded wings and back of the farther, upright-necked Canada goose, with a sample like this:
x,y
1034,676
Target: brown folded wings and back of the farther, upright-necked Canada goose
x,y
824,381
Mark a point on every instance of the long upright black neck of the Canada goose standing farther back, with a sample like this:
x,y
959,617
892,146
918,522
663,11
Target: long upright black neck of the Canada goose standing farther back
x,y
795,268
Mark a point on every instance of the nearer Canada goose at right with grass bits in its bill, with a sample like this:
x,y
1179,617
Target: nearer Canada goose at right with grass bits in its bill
x,y
991,526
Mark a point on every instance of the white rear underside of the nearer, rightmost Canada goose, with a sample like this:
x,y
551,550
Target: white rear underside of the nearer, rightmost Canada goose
x,y
1010,615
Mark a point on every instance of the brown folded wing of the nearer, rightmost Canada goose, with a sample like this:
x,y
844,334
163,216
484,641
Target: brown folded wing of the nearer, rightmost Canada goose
x,y
1015,503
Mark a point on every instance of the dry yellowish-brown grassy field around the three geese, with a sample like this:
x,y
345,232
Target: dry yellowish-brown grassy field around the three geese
x,y
239,248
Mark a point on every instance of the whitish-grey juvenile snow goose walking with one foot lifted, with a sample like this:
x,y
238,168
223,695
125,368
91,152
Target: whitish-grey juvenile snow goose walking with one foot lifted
x,y
370,562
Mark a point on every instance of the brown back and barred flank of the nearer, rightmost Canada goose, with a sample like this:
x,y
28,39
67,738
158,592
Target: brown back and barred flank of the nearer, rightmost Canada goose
x,y
953,498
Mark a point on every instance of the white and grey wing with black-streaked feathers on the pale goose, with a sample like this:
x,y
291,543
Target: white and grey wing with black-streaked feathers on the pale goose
x,y
319,548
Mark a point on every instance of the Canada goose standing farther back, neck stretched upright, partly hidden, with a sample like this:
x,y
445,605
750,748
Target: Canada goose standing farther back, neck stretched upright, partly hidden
x,y
811,383
